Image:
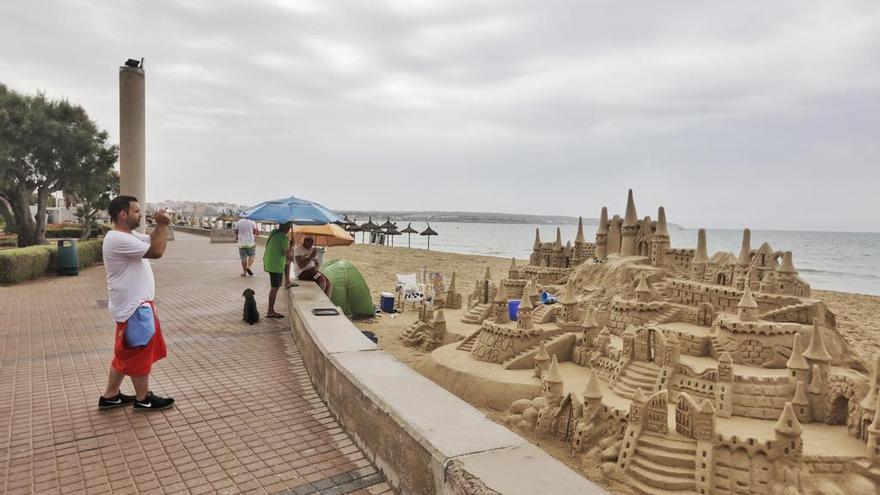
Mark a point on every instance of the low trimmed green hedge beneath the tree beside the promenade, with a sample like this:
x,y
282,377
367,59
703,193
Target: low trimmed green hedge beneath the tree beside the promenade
x,y
17,265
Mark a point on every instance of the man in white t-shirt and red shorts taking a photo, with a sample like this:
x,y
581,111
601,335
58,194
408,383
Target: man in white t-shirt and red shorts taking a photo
x,y
131,290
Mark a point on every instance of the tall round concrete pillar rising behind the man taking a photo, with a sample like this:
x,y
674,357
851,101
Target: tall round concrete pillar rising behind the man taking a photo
x,y
132,137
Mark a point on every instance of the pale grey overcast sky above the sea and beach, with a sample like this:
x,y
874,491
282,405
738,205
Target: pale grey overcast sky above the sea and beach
x,y
731,114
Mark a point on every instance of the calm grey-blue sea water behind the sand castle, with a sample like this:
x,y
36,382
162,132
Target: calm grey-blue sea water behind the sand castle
x,y
842,261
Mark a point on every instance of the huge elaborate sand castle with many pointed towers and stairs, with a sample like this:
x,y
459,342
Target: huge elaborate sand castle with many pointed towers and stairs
x,y
683,372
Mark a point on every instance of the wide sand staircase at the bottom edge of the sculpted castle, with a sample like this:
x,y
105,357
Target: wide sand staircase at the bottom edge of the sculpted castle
x,y
663,464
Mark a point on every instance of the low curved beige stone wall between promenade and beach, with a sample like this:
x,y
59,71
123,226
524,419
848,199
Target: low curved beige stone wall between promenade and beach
x,y
424,439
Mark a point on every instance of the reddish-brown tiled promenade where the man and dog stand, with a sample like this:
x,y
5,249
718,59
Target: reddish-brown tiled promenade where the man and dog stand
x,y
247,419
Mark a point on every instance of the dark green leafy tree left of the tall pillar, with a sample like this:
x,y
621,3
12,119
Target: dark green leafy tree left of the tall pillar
x,y
45,146
